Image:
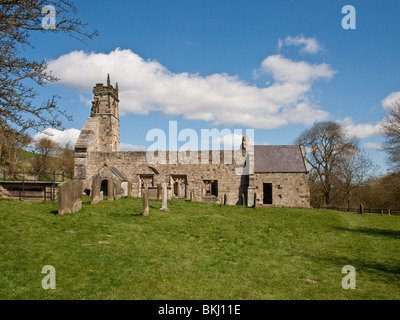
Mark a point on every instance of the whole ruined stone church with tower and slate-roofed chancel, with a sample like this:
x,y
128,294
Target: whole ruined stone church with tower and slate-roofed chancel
x,y
276,176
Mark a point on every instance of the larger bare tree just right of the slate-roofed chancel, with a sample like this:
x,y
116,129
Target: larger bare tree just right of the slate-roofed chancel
x,y
325,142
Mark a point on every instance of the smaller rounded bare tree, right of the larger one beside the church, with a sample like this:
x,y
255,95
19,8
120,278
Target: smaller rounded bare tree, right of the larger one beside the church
x,y
353,169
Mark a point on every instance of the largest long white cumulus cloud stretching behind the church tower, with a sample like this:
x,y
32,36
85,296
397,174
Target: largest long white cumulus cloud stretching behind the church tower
x,y
221,99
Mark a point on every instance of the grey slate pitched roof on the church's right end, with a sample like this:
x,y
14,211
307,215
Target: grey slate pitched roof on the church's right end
x,y
278,159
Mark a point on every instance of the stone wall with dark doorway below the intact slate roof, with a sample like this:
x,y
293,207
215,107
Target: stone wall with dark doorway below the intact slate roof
x,y
288,189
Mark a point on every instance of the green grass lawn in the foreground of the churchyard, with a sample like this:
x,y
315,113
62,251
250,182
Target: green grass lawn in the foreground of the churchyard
x,y
196,251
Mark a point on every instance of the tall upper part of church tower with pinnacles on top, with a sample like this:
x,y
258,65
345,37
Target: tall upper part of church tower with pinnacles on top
x,y
105,109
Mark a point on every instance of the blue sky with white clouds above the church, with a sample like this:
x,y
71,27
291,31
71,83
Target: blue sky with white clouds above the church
x,y
275,66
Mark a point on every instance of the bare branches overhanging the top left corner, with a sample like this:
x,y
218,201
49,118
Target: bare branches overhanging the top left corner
x,y
19,75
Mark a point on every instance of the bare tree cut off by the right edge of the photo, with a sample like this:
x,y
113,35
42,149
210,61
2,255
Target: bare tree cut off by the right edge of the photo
x,y
391,129
